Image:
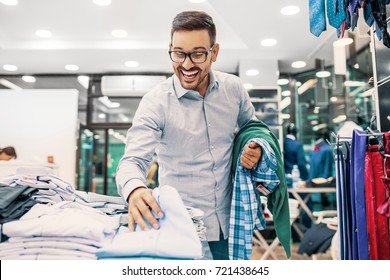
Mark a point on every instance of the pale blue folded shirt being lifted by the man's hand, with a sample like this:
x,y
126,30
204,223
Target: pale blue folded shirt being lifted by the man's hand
x,y
175,239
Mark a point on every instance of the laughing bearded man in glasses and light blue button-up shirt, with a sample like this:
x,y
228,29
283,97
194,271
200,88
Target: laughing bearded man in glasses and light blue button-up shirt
x,y
189,121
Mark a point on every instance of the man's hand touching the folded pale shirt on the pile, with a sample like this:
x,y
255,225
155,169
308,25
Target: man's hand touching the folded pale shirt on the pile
x,y
141,203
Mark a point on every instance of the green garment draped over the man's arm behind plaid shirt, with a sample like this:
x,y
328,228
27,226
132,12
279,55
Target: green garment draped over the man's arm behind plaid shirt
x,y
278,199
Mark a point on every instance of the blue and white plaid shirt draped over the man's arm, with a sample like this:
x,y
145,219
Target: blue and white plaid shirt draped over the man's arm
x,y
245,213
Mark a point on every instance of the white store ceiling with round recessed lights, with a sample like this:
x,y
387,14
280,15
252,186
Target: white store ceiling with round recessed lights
x,y
82,35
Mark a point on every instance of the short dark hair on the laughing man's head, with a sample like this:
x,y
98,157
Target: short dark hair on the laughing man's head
x,y
194,20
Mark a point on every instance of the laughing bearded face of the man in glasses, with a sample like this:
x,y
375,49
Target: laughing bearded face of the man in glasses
x,y
193,76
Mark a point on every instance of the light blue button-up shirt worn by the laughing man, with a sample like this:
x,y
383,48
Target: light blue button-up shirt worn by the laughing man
x,y
193,139
